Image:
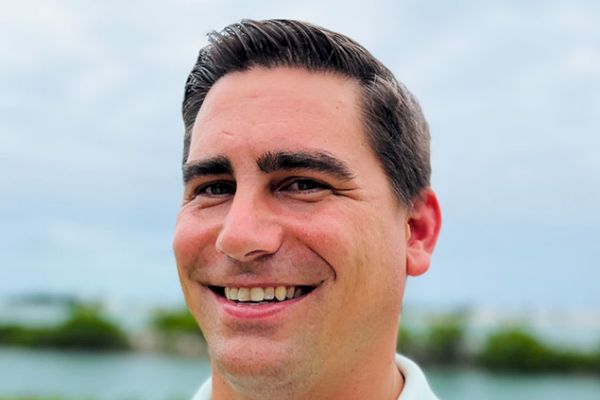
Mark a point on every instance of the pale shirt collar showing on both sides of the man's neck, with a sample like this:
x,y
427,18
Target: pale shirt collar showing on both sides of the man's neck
x,y
415,383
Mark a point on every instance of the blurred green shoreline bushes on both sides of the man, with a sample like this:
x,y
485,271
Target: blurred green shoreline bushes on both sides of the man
x,y
441,342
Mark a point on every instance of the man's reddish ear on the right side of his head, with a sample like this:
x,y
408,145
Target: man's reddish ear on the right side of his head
x,y
424,223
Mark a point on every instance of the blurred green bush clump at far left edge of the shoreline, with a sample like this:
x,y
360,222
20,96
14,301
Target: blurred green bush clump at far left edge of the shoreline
x,y
85,328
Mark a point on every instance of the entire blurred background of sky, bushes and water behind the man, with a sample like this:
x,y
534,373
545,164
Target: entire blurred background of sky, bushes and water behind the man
x,y
90,152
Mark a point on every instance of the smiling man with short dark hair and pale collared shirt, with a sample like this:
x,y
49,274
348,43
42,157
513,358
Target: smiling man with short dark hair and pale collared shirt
x,y
306,205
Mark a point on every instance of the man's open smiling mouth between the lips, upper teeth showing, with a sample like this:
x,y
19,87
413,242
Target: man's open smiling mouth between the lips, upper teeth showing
x,y
261,295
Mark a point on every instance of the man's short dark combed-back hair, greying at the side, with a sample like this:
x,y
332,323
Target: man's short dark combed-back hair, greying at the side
x,y
393,120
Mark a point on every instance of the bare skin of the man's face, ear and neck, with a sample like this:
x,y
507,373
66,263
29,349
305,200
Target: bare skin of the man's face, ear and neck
x,y
244,223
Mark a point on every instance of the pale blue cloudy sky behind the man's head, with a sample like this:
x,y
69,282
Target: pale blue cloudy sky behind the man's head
x,y
91,140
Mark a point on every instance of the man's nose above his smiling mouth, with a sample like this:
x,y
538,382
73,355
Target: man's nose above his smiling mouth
x,y
250,229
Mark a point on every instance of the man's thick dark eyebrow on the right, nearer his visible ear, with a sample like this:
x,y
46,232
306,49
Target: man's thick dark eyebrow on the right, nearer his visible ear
x,y
308,160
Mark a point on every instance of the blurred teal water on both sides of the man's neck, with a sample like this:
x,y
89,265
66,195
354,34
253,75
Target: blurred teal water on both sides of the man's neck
x,y
127,376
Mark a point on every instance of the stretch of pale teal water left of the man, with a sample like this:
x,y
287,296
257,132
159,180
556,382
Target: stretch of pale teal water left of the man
x,y
99,376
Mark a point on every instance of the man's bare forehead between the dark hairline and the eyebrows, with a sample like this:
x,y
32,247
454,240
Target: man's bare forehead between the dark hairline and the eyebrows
x,y
278,104
